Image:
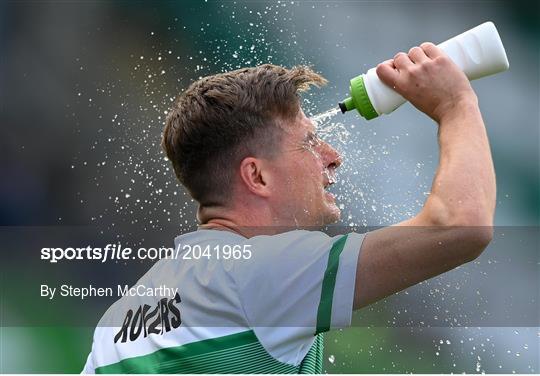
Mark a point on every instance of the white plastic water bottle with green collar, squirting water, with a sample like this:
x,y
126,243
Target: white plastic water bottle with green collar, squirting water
x,y
479,52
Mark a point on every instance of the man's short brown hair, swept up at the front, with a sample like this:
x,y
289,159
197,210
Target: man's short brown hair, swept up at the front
x,y
222,119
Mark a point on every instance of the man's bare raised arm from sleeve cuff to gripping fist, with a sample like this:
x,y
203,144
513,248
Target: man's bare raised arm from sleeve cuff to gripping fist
x,y
455,224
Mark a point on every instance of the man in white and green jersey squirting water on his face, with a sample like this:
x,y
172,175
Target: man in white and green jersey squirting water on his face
x,y
241,145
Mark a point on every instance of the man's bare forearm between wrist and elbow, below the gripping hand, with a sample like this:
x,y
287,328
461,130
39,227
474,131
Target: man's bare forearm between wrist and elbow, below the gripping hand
x,y
464,189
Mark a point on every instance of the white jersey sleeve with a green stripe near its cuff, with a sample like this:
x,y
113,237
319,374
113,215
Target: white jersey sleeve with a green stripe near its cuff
x,y
295,286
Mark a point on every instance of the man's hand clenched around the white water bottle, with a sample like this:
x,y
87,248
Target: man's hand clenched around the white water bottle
x,y
428,79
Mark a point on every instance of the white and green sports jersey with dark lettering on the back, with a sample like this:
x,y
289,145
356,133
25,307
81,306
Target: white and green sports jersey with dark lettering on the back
x,y
265,313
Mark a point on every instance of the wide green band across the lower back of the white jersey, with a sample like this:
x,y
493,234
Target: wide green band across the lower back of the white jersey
x,y
235,353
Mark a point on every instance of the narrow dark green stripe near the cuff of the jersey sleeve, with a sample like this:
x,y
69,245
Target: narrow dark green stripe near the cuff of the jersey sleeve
x,y
324,313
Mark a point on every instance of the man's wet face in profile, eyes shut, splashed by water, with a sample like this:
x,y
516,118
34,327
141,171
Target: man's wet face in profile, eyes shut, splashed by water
x,y
304,169
